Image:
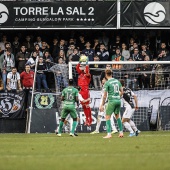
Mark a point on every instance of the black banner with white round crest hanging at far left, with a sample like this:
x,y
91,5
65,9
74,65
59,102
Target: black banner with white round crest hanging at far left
x,y
12,105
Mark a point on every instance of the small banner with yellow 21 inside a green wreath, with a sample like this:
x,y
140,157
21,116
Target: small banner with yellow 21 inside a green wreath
x,y
45,101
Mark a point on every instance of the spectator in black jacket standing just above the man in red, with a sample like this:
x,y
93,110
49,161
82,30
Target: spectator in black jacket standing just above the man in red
x,y
21,58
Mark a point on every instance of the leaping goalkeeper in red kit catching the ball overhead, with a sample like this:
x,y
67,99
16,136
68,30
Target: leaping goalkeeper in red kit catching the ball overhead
x,y
83,83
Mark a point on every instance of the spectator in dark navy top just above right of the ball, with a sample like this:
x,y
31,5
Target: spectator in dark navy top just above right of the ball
x,y
88,51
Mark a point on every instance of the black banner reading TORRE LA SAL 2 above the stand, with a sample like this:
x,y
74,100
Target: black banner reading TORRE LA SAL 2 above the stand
x,y
65,14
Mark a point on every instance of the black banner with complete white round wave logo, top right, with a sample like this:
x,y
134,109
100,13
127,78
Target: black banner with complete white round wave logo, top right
x,y
145,14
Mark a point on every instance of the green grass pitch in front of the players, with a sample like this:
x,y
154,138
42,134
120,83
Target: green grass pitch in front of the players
x,y
148,151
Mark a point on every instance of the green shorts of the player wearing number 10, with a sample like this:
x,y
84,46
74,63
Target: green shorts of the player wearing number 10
x,y
113,107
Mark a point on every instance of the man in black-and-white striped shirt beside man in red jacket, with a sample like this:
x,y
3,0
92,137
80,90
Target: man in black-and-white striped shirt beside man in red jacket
x,y
13,80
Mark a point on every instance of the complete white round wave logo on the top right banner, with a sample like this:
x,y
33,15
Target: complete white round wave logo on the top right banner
x,y
154,13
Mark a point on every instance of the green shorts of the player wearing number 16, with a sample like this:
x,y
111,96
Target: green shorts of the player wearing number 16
x,y
69,109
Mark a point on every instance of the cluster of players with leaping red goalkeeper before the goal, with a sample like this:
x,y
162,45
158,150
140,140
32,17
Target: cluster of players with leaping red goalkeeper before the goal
x,y
112,92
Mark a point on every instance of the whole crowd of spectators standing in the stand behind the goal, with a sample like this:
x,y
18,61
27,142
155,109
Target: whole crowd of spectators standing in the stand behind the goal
x,y
17,60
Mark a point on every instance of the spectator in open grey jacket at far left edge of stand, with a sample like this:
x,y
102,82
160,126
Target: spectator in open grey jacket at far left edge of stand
x,y
8,62
